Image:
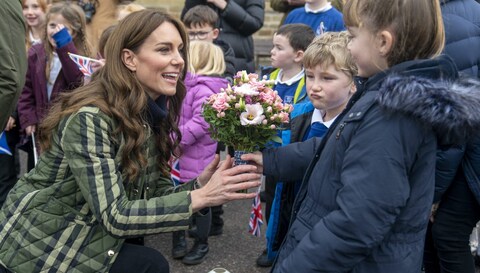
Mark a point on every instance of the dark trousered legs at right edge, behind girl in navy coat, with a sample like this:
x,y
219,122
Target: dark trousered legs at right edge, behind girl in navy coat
x,y
456,209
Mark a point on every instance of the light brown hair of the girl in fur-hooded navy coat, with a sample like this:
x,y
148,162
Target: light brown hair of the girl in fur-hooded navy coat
x,y
416,25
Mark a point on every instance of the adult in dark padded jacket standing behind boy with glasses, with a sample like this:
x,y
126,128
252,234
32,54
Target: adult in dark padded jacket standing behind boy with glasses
x,y
239,20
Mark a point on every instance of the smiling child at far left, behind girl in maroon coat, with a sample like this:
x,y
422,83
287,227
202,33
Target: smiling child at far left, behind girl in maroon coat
x,y
34,12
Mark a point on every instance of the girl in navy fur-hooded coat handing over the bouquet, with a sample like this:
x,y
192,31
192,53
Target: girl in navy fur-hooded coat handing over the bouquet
x,y
368,184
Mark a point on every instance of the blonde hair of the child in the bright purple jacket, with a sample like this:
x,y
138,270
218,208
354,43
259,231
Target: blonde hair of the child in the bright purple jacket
x,y
206,58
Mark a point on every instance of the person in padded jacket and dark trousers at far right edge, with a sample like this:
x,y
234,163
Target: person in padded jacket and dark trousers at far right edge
x,y
456,208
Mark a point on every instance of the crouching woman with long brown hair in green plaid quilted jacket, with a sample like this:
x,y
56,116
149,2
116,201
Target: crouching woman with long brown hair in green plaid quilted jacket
x,y
103,176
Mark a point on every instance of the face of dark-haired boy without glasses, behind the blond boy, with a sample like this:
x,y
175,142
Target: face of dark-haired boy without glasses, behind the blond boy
x,y
282,54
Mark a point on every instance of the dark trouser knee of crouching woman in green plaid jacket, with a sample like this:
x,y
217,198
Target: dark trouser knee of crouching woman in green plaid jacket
x,y
139,259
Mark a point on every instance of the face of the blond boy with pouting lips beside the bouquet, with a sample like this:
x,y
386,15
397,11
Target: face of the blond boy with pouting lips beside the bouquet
x,y
329,89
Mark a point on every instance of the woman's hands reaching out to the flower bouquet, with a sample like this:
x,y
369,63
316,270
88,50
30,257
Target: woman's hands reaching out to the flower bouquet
x,y
224,184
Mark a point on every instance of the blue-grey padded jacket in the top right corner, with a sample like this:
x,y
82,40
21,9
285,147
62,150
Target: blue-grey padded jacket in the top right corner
x,y
462,32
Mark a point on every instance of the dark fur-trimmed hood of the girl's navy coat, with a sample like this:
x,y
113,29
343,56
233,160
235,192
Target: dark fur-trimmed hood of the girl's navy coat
x,y
450,108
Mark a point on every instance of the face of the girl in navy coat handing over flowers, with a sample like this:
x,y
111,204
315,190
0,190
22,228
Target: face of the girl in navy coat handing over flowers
x,y
364,49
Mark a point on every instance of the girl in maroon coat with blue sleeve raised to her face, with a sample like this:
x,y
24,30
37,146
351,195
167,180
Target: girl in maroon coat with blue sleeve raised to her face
x,y
50,69
